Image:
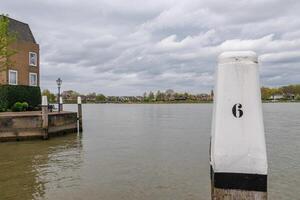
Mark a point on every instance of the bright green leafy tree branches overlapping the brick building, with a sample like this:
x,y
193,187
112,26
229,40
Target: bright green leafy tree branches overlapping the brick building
x,y
6,39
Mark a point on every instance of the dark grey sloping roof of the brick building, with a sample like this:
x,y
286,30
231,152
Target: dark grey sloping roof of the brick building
x,y
22,29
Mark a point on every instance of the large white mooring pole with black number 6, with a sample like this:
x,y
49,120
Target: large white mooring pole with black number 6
x,y
238,151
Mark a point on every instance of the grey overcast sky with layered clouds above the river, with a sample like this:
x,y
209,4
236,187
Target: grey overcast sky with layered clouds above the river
x,y
126,47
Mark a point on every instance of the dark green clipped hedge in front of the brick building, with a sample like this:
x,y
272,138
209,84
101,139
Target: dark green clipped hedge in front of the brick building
x,y
10,94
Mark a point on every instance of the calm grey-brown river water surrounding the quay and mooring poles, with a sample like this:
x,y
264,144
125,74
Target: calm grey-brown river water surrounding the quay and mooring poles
x,y
141,152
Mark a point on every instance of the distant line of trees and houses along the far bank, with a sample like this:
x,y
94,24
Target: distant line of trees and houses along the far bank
x,y
284,93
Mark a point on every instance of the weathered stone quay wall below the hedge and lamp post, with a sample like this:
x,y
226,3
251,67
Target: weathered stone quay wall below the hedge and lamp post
x,y
28,125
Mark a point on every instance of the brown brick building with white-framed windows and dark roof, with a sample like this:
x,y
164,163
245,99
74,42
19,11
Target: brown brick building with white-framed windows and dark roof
x,y
25,68
